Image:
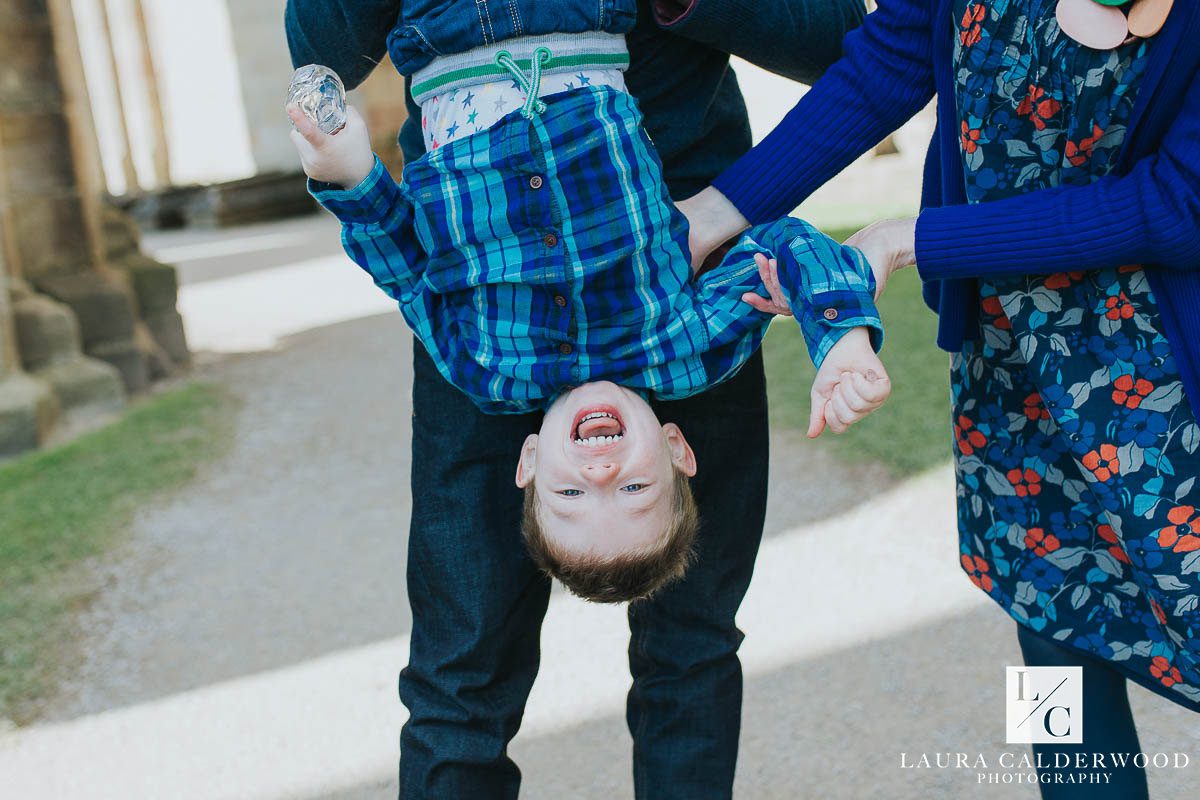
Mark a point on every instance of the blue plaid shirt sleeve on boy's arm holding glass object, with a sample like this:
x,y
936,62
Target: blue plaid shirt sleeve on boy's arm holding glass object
x,y
379,231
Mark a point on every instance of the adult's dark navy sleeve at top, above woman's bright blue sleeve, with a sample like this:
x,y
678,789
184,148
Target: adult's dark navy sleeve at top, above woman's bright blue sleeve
x,y
799,40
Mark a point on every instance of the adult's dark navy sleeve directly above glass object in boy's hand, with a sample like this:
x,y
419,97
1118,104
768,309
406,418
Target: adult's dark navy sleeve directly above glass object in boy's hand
x,y
347,37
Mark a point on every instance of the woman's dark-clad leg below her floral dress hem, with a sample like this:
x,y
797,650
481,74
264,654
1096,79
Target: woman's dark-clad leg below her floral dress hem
x,y
1108,723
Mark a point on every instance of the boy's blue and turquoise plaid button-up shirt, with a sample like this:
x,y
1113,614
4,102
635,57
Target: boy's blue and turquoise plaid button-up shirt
x,y
544,254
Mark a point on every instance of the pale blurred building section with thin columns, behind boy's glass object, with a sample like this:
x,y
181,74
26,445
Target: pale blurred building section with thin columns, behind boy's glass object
x,y
189,107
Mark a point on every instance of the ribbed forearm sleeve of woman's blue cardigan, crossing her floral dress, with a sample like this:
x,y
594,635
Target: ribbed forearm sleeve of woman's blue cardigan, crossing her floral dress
x,y
1041,233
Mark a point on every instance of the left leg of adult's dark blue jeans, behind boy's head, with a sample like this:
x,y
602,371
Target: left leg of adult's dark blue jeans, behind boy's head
x,y
477,599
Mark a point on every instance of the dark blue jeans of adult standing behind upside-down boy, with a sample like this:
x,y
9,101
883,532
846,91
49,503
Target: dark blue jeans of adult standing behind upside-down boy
x,y
478,603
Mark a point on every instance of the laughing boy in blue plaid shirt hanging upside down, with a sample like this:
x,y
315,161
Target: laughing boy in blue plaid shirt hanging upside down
x,y
538,257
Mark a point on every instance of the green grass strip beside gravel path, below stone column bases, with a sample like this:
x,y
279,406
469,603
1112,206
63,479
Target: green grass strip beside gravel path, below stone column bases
x,y
71,503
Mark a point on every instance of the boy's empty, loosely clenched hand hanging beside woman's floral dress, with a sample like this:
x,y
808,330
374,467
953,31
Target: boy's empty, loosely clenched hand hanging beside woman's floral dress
x,y
850,384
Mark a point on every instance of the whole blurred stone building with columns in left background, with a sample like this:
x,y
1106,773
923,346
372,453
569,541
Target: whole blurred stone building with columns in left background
x,y
88,89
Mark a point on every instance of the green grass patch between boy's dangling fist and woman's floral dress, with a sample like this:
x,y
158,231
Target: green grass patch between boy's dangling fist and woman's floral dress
x,y
913,431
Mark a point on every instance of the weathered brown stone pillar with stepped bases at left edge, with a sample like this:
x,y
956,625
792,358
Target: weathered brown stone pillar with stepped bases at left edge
x,y
86,318
